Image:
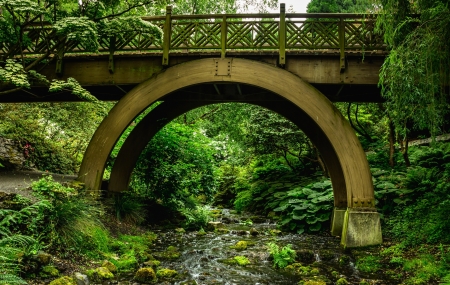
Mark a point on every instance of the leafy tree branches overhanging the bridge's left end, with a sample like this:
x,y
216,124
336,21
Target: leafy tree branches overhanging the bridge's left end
x,y
78,22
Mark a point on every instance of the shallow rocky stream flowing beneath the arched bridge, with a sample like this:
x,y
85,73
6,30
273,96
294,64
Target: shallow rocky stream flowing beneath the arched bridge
x,y
201,256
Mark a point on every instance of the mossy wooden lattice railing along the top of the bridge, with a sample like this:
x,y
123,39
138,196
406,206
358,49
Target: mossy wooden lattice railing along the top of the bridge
x,y
279,32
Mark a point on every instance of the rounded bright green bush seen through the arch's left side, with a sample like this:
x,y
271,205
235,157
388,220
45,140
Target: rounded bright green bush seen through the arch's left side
x,y
176,166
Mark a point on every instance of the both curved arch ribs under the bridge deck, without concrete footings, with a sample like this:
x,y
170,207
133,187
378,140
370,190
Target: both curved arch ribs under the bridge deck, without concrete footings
x,y
301,103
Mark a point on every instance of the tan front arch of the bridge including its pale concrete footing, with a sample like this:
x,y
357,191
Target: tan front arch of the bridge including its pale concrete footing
x,y
317,108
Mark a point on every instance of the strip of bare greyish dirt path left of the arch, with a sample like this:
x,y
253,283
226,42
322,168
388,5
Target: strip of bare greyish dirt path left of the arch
x,y
17,181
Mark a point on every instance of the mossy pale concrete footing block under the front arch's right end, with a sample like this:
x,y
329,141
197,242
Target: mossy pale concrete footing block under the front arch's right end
x,y
361,227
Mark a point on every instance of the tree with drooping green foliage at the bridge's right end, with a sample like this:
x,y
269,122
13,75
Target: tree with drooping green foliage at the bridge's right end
x,y
416,74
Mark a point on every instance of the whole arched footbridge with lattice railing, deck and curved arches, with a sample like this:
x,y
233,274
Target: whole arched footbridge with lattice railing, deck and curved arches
x,y
293,64
